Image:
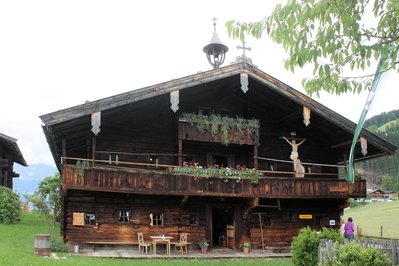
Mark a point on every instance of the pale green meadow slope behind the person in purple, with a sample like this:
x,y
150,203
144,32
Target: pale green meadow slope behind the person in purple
x,y
372,216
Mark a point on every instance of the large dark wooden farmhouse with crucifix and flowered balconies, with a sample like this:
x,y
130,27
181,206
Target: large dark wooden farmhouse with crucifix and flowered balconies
x,y
204,155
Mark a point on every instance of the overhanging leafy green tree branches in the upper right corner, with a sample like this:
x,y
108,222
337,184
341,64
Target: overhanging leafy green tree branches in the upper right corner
x,y
336,36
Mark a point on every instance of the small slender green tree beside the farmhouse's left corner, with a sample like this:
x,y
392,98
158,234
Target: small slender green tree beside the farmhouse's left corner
x,y
47,200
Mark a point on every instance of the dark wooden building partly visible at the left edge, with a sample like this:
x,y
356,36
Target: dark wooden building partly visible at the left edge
x,y
9,153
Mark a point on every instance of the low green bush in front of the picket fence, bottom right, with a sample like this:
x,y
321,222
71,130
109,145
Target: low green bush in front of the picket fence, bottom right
x,y
353,254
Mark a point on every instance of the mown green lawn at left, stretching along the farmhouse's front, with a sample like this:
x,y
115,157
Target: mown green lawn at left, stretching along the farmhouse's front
x,y
17,248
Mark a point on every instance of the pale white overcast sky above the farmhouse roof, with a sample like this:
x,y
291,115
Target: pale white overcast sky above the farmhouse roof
x,y
58,54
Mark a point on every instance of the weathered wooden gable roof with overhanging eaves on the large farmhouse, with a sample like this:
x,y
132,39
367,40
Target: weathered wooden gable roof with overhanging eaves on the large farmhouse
x,y
277,94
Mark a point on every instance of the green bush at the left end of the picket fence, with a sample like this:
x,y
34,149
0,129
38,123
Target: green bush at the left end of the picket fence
x,y
305,245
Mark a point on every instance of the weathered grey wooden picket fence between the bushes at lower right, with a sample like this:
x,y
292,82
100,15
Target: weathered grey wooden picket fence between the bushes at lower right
x,y
384,245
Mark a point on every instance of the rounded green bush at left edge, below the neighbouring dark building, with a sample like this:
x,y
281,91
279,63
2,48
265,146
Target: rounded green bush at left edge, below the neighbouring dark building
x,y
10,210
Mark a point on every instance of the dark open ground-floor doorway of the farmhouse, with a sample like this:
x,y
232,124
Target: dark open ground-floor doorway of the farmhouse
x,y
221,217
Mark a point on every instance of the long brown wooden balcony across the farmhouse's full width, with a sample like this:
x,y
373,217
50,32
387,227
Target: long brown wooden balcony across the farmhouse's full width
x,y
155,182
